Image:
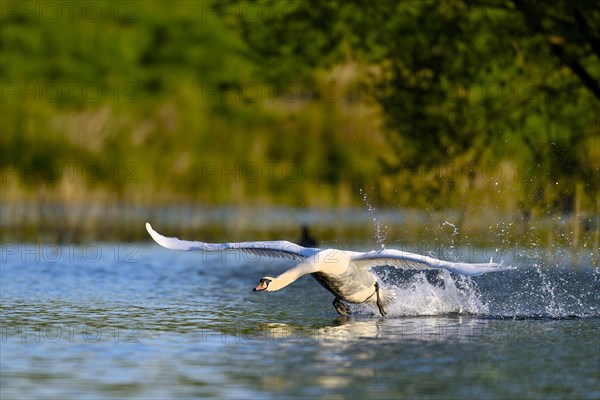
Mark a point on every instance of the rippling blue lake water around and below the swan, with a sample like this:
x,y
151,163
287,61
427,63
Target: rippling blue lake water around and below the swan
x,y
139,321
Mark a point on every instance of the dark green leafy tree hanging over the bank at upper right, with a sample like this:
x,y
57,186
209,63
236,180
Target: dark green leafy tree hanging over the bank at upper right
x,y
459,82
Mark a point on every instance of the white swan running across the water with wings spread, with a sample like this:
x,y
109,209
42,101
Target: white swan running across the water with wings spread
x,y
346,274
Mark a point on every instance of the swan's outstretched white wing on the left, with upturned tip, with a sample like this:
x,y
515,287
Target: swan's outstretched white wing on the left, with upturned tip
x,y
276,249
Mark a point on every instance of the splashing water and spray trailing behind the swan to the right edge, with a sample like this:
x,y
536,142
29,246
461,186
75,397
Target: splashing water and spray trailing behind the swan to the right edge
x,y
539,292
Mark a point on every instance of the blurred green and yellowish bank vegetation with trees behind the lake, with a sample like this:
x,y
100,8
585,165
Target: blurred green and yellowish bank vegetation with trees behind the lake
x,y
479,107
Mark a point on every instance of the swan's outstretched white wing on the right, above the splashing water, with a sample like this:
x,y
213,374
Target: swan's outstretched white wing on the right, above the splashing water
x,y
406,260
